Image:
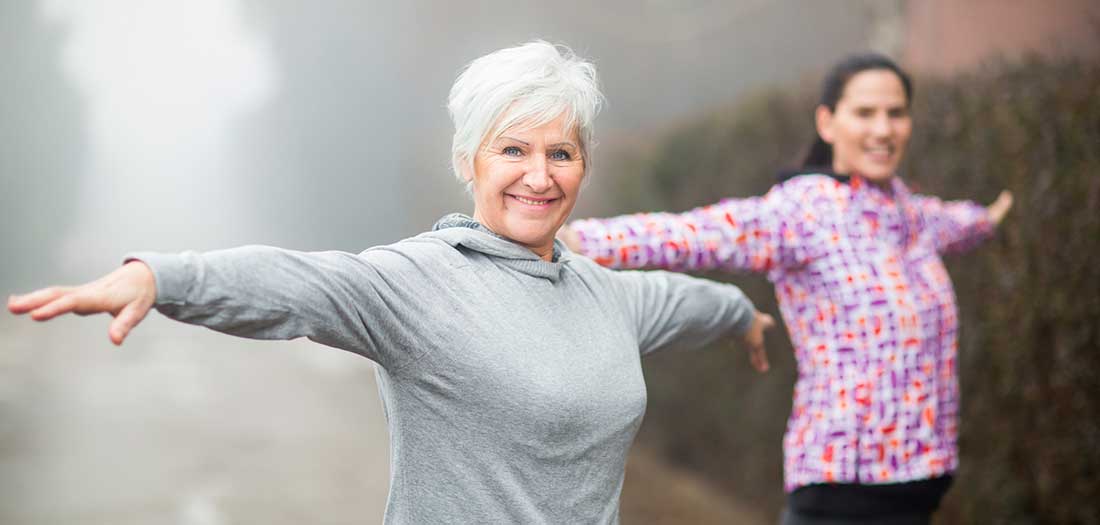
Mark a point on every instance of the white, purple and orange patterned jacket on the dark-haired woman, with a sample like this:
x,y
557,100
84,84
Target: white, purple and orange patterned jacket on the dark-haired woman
x,y
865,297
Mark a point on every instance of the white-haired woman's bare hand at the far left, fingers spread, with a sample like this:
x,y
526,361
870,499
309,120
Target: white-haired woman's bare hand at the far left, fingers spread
x,y
127,293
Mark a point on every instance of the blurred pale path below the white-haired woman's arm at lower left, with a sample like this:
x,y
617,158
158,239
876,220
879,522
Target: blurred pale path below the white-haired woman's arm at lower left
x,y
184,426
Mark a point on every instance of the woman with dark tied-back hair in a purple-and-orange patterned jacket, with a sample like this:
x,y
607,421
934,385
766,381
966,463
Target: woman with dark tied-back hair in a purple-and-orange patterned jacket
x,y
856,261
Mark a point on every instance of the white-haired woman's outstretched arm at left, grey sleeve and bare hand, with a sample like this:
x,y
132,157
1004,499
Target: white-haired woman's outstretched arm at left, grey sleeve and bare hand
x,y
335,299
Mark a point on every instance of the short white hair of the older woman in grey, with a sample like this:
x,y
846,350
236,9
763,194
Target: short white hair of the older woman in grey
x,y
531,84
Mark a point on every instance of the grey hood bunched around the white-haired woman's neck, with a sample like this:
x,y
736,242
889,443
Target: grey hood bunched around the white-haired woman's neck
x,y
459,229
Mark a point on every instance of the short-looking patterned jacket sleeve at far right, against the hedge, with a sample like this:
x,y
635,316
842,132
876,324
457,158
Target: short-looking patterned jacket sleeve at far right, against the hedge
x,y
956,226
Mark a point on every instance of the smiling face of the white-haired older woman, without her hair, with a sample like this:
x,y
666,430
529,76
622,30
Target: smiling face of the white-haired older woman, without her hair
x,y
526,183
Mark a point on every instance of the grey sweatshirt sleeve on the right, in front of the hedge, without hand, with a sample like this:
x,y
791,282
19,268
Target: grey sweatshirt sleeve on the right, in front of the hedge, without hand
x,y
678,311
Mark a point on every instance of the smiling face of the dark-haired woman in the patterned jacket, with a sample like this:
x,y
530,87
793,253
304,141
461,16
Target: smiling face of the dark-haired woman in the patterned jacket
x,y
871,128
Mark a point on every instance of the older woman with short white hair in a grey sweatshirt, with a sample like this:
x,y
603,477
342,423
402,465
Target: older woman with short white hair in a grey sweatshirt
x,y
510,369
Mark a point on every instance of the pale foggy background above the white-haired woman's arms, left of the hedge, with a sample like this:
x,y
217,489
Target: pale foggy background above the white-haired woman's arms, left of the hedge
x,y
133,125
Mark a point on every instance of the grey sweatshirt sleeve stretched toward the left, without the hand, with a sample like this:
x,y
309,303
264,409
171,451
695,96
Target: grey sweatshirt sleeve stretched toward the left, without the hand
x,y
350,302
